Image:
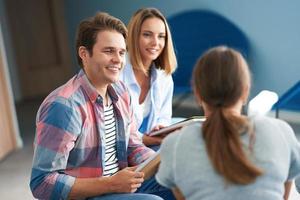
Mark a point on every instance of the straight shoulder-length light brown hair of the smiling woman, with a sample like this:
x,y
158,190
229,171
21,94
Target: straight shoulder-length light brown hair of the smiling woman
x,y
167,59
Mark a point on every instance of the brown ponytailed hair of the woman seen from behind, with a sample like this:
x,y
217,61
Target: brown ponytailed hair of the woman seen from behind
x,y
220,78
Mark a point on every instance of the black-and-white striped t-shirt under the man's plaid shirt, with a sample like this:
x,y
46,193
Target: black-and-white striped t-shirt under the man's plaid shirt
x,y
111,161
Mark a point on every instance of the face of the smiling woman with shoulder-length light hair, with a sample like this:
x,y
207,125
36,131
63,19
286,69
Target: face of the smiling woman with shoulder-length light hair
x,y
152,39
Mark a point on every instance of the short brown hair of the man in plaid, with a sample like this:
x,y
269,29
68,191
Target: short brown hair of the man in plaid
x,y
89,28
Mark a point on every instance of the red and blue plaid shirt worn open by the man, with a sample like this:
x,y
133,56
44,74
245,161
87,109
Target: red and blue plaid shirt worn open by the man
x,y
69,140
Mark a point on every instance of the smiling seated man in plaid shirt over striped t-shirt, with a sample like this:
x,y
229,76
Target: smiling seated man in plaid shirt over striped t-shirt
x,y
86,135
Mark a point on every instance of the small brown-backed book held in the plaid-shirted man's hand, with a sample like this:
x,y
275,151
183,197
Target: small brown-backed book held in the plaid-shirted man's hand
x,y
149,166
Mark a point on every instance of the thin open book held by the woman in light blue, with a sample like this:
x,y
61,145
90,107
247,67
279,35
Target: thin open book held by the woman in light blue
x,y
178,125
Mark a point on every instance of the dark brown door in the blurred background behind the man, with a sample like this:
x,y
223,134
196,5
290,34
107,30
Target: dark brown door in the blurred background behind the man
x,y
43,62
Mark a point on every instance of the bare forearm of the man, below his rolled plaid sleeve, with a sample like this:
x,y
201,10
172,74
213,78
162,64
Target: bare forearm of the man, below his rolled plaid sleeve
x,y
90,187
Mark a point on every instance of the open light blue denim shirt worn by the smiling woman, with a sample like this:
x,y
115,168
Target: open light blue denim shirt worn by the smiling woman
x,y
161,94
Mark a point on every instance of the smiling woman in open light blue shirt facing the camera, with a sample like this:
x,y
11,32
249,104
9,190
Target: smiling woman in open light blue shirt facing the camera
x,y
148,71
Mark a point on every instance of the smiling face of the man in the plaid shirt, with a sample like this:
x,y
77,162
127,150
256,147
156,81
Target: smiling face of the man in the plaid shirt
x,y
108,58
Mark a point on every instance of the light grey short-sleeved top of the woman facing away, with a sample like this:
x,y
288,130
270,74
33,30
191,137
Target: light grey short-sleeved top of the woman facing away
x,y
185,164
